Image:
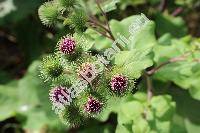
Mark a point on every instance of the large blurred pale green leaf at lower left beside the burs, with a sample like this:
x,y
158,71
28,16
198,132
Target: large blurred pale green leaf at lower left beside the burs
x,y
29,98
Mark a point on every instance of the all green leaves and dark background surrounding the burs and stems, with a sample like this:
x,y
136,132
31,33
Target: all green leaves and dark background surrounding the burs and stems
x,y
24,105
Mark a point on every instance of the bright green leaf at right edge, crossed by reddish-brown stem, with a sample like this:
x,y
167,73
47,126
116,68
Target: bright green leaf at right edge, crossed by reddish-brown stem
x,y
183,73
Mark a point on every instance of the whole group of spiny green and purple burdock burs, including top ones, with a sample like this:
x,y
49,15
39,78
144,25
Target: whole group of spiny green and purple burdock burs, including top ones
x,y
81,82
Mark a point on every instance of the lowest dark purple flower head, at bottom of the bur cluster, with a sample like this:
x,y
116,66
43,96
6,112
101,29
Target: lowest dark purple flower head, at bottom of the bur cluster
x,y
93,105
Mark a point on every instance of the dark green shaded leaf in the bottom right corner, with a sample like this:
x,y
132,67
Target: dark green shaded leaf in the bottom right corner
x,y
187,114
